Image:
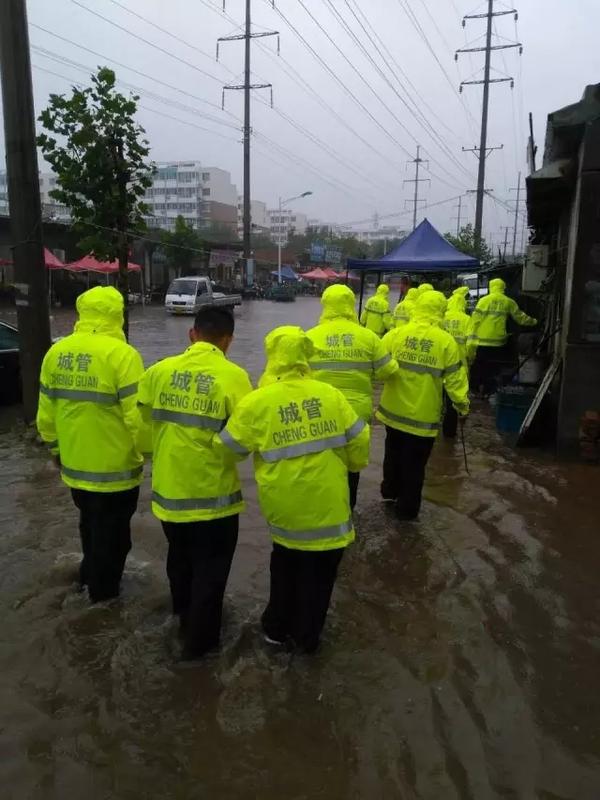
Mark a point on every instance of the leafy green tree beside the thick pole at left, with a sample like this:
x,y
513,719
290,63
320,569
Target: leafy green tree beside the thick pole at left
x,y
101,168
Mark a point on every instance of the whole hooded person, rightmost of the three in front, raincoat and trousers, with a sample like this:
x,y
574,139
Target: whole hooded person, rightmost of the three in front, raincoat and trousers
x,y
305,438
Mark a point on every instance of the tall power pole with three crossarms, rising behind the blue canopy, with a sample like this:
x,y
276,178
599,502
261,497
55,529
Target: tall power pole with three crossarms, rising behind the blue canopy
x,y
483,149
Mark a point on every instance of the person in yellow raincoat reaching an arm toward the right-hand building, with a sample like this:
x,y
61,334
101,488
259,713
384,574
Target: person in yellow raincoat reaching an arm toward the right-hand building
x,y
489,326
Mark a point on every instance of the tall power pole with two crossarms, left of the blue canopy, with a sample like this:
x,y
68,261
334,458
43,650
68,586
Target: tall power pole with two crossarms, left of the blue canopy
x,y
246,87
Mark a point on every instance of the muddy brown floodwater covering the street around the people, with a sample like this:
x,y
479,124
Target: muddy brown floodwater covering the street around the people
x,y
460,659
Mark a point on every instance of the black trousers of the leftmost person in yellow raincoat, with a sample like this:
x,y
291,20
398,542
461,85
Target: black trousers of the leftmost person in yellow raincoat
x,y
104,528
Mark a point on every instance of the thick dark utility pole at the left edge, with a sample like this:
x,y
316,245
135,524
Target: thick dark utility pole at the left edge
x,y
24,199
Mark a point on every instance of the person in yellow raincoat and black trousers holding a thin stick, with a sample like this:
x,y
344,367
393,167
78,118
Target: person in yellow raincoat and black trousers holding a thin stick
x,y
411,404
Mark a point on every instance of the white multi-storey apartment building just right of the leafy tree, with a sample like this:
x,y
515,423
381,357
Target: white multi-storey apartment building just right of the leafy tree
x,y
203,196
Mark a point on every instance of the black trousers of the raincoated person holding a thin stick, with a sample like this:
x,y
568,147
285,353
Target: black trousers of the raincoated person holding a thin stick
x,y
404,462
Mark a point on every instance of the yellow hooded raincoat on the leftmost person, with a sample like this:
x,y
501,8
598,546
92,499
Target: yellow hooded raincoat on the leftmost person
x,y
87,406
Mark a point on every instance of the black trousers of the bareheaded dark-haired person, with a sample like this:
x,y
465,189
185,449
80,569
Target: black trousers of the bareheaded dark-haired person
x,y
198,564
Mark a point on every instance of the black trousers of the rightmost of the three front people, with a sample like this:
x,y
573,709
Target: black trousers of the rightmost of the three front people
x,y
301,586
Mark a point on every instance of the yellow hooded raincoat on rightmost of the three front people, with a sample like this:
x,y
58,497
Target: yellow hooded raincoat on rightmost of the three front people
x,y
305,438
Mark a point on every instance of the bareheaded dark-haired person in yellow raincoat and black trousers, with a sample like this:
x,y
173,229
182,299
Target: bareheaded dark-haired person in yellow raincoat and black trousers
x,y
184,401
